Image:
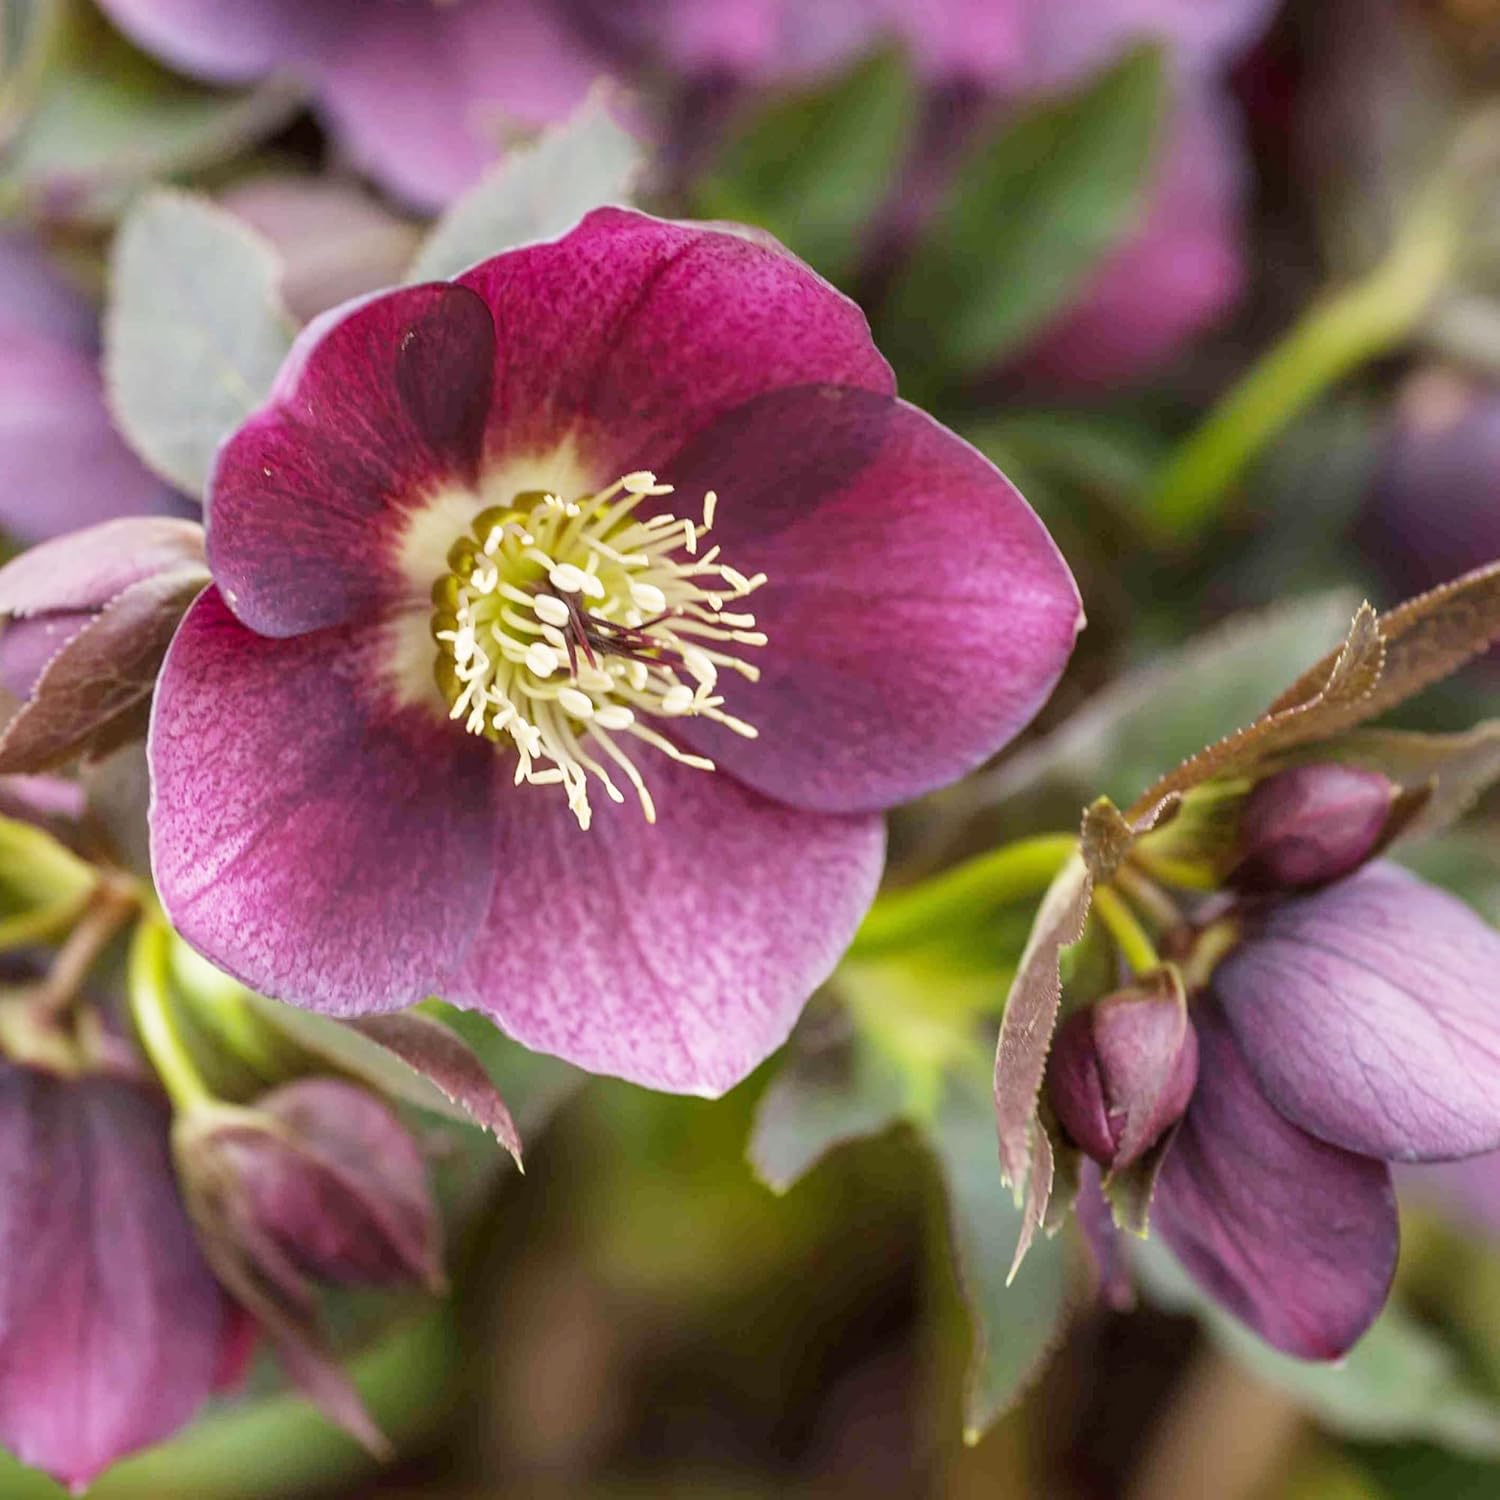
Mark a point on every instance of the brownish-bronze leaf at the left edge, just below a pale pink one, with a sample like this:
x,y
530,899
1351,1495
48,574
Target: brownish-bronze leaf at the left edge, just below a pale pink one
x,y
95,694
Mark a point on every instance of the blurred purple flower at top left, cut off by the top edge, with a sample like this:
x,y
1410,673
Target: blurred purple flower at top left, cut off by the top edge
x,y
422,94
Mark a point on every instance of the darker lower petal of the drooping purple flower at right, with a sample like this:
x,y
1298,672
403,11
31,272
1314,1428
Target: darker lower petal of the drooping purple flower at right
x,y
1294,1237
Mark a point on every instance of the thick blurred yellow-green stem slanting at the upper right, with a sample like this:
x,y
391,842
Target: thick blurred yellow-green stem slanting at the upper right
x,y
1337,335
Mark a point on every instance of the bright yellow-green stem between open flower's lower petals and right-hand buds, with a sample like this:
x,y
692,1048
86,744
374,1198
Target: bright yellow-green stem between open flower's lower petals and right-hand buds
x,y
1012,874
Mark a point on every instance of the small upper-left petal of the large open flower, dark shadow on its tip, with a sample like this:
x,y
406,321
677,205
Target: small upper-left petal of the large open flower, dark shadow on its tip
x,y
379,406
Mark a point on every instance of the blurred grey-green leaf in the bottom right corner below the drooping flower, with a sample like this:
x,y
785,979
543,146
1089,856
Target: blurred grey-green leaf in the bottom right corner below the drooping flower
x,y
1399,1382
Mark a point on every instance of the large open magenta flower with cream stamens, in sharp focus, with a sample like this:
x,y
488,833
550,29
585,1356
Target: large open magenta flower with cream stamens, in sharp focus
x,y
574,625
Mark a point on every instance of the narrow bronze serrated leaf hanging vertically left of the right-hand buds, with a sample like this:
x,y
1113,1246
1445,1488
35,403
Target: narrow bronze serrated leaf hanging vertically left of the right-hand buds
x,y
1031,1015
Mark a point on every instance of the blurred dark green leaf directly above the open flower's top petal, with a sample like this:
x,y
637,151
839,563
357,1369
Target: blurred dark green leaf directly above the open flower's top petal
x,y
815,169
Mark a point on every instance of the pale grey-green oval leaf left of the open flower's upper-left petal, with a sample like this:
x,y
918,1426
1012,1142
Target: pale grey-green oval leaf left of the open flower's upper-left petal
x,y
194,334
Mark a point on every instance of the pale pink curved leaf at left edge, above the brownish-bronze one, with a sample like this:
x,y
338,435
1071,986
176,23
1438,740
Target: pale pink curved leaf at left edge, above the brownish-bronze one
x,y
86,569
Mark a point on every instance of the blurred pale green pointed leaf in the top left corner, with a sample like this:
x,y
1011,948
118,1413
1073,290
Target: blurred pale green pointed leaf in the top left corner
x,y
100,122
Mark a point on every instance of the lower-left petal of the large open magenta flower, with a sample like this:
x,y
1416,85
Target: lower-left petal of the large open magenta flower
x,y
316,842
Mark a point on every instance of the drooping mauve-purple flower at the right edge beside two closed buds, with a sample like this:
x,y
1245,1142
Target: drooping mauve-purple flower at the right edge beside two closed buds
x,y
1349,1030
